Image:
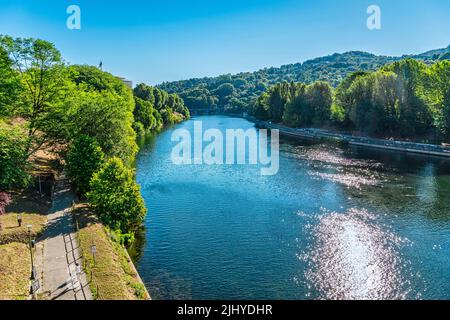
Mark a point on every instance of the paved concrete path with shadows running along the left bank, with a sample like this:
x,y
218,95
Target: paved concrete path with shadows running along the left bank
x,y
57,253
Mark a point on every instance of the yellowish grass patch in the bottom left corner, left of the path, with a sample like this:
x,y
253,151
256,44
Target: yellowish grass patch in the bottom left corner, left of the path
x,y
15,268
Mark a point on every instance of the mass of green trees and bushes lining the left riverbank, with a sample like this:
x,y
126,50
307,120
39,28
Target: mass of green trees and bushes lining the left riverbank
x,y
90,118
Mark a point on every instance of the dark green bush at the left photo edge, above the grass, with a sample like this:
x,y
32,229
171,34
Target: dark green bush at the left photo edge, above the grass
x,y
13,159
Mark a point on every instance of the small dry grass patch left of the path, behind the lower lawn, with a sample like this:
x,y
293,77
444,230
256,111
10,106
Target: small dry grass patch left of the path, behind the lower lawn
x,y
11,232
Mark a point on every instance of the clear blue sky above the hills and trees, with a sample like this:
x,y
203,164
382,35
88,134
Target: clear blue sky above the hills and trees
x,y
154,41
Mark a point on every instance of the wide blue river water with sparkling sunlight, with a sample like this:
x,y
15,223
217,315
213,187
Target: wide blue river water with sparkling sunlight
x,y
335,223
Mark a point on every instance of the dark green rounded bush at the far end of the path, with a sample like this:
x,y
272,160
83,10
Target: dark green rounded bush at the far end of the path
x,y
84,158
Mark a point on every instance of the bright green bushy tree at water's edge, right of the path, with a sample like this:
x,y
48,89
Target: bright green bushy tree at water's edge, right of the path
x,y
116,197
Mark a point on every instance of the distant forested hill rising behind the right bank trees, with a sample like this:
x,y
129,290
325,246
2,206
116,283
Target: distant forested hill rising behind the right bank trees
x,y
235,93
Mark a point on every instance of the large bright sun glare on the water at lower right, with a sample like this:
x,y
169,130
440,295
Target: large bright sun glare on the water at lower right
x,y
353,258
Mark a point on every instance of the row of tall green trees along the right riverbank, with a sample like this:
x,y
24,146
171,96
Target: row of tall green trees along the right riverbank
x,y
406,99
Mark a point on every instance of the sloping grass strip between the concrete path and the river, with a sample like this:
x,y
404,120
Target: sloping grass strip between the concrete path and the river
x,y
112,276
